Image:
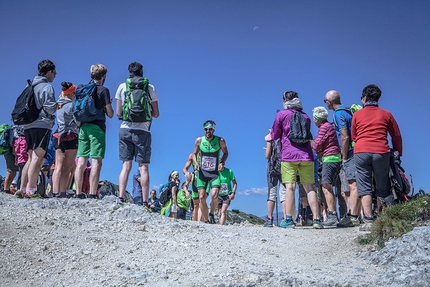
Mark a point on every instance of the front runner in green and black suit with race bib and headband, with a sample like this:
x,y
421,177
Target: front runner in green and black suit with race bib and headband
x,y
207,151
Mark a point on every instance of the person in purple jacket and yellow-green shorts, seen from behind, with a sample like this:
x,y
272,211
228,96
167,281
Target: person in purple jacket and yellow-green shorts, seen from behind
x,y
295,158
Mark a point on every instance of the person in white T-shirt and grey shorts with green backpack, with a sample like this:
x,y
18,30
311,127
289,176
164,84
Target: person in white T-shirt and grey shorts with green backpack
x,y
136,105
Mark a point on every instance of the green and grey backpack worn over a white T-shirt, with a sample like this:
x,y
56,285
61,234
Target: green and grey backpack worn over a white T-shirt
x,y
137,102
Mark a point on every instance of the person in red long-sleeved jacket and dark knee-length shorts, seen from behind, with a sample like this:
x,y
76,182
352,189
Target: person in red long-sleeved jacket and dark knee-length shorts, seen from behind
x,y
370,126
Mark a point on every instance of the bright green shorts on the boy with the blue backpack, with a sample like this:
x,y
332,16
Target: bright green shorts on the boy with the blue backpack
x,y
92,141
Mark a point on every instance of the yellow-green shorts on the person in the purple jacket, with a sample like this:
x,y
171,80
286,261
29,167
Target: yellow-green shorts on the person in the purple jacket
x,y
290,169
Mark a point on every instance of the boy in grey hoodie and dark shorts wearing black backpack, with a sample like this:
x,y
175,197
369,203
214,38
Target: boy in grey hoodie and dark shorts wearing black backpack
x,y
37,129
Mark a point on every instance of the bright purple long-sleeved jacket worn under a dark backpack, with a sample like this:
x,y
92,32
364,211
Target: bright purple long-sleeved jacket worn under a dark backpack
x,y
281,130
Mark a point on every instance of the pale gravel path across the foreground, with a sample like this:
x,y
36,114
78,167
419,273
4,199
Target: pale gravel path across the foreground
x,y
72,242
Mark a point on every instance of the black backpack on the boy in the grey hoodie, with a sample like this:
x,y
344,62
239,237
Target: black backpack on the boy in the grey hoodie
x,y
26,110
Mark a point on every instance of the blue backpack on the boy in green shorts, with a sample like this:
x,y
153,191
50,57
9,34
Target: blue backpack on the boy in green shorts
x,y
84,108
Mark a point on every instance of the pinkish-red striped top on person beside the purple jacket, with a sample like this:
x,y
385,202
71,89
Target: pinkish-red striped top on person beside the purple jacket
x,y
326,142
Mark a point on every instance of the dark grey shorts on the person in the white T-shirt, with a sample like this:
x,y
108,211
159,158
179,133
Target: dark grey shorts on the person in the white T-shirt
x,y
134,144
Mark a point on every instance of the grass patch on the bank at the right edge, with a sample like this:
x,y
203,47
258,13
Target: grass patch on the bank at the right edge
x,y
398,220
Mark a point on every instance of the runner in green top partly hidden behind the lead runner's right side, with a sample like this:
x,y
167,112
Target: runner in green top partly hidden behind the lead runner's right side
x,y
226,193
